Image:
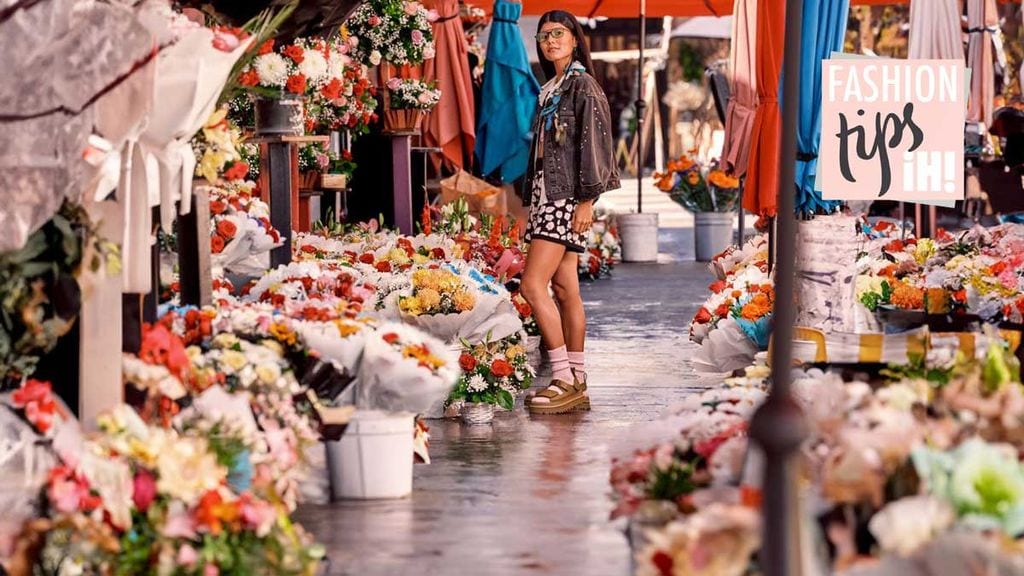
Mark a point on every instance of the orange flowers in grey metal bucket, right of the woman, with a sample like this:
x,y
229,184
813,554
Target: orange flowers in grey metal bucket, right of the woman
x,y
710,195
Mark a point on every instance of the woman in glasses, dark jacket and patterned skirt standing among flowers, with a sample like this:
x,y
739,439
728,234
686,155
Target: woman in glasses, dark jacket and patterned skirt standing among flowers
x,y
572,163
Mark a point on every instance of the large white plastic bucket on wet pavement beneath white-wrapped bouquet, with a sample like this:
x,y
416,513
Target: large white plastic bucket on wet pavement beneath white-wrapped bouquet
x,y
374,459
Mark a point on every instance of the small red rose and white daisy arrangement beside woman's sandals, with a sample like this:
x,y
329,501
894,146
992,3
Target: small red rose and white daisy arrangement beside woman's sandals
x,y
493,373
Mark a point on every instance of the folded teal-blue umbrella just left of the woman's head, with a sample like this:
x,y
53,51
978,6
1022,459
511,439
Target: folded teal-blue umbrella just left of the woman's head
x,y
508,99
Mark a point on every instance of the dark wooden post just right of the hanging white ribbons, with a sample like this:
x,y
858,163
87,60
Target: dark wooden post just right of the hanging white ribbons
x,y
194,252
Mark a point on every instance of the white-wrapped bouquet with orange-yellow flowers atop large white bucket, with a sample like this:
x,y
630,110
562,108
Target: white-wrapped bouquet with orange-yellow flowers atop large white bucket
x,y
405,371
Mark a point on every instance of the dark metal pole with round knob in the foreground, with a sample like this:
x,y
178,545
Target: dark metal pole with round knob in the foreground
x,y
779,427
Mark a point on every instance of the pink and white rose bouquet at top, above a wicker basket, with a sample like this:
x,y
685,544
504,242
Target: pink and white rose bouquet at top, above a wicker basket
x,y
399,32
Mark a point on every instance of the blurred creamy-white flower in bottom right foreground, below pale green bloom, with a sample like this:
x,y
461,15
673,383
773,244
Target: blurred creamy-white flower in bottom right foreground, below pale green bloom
x,y
908,524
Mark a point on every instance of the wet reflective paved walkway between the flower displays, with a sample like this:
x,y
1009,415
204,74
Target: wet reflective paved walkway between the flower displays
x,y
531,495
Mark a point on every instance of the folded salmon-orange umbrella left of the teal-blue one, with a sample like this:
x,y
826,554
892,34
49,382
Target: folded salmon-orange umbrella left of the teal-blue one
x,y
451,126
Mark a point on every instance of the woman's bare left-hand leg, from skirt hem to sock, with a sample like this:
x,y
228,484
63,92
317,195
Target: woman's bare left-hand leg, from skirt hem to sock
x,y
543,261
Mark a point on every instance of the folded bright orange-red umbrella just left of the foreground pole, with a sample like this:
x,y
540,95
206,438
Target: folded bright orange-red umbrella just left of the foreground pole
x,y
762,173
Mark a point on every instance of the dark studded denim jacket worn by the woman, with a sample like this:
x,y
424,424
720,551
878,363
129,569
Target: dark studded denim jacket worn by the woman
x,y
579,160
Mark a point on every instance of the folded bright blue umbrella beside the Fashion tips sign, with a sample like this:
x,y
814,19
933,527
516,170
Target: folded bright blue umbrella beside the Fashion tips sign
x,y
825,28
